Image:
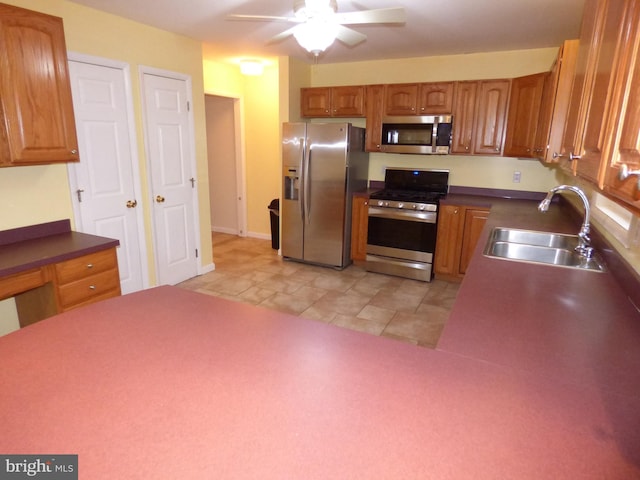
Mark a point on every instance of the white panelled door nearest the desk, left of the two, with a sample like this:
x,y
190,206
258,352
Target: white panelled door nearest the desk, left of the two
x,y
105,182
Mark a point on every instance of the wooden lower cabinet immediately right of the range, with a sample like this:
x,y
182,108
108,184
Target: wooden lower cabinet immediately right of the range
x,y
459,227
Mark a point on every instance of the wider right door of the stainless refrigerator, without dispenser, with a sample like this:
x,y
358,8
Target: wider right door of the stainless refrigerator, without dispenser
x,y
325,193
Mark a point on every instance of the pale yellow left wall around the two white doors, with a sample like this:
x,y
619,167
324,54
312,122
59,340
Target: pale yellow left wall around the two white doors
x,y
39,194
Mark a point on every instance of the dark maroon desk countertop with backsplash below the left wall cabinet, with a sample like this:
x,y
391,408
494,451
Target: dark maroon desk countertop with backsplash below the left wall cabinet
x,y
30,247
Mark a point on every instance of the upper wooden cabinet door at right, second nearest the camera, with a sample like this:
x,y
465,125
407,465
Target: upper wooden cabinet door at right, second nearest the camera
x,y
608,48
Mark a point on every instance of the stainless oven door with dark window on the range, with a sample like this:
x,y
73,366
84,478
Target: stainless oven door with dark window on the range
x,y
402,234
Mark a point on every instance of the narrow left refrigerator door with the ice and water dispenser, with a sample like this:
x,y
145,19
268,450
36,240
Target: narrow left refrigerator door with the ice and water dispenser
x,y
293,151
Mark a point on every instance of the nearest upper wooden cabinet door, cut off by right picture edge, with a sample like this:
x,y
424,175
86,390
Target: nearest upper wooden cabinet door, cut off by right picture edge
x,y
625,138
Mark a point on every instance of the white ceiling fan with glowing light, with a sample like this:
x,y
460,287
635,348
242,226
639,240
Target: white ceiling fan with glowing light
x,y
318,23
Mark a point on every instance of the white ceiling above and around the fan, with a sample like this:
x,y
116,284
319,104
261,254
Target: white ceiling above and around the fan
x,y
433,27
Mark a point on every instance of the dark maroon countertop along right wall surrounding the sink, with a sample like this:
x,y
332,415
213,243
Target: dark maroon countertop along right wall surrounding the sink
x,y
567,325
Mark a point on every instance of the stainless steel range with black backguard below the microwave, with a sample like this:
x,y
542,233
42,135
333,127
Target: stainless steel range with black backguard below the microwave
x,y
402,223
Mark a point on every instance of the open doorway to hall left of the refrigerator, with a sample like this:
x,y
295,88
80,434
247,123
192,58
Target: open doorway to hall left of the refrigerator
x,y
226,177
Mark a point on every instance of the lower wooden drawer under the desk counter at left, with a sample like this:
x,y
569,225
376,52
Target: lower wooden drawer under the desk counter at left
x,y
89,288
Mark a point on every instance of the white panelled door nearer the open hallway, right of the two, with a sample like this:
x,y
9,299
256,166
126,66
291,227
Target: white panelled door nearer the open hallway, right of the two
x,y
169,138
